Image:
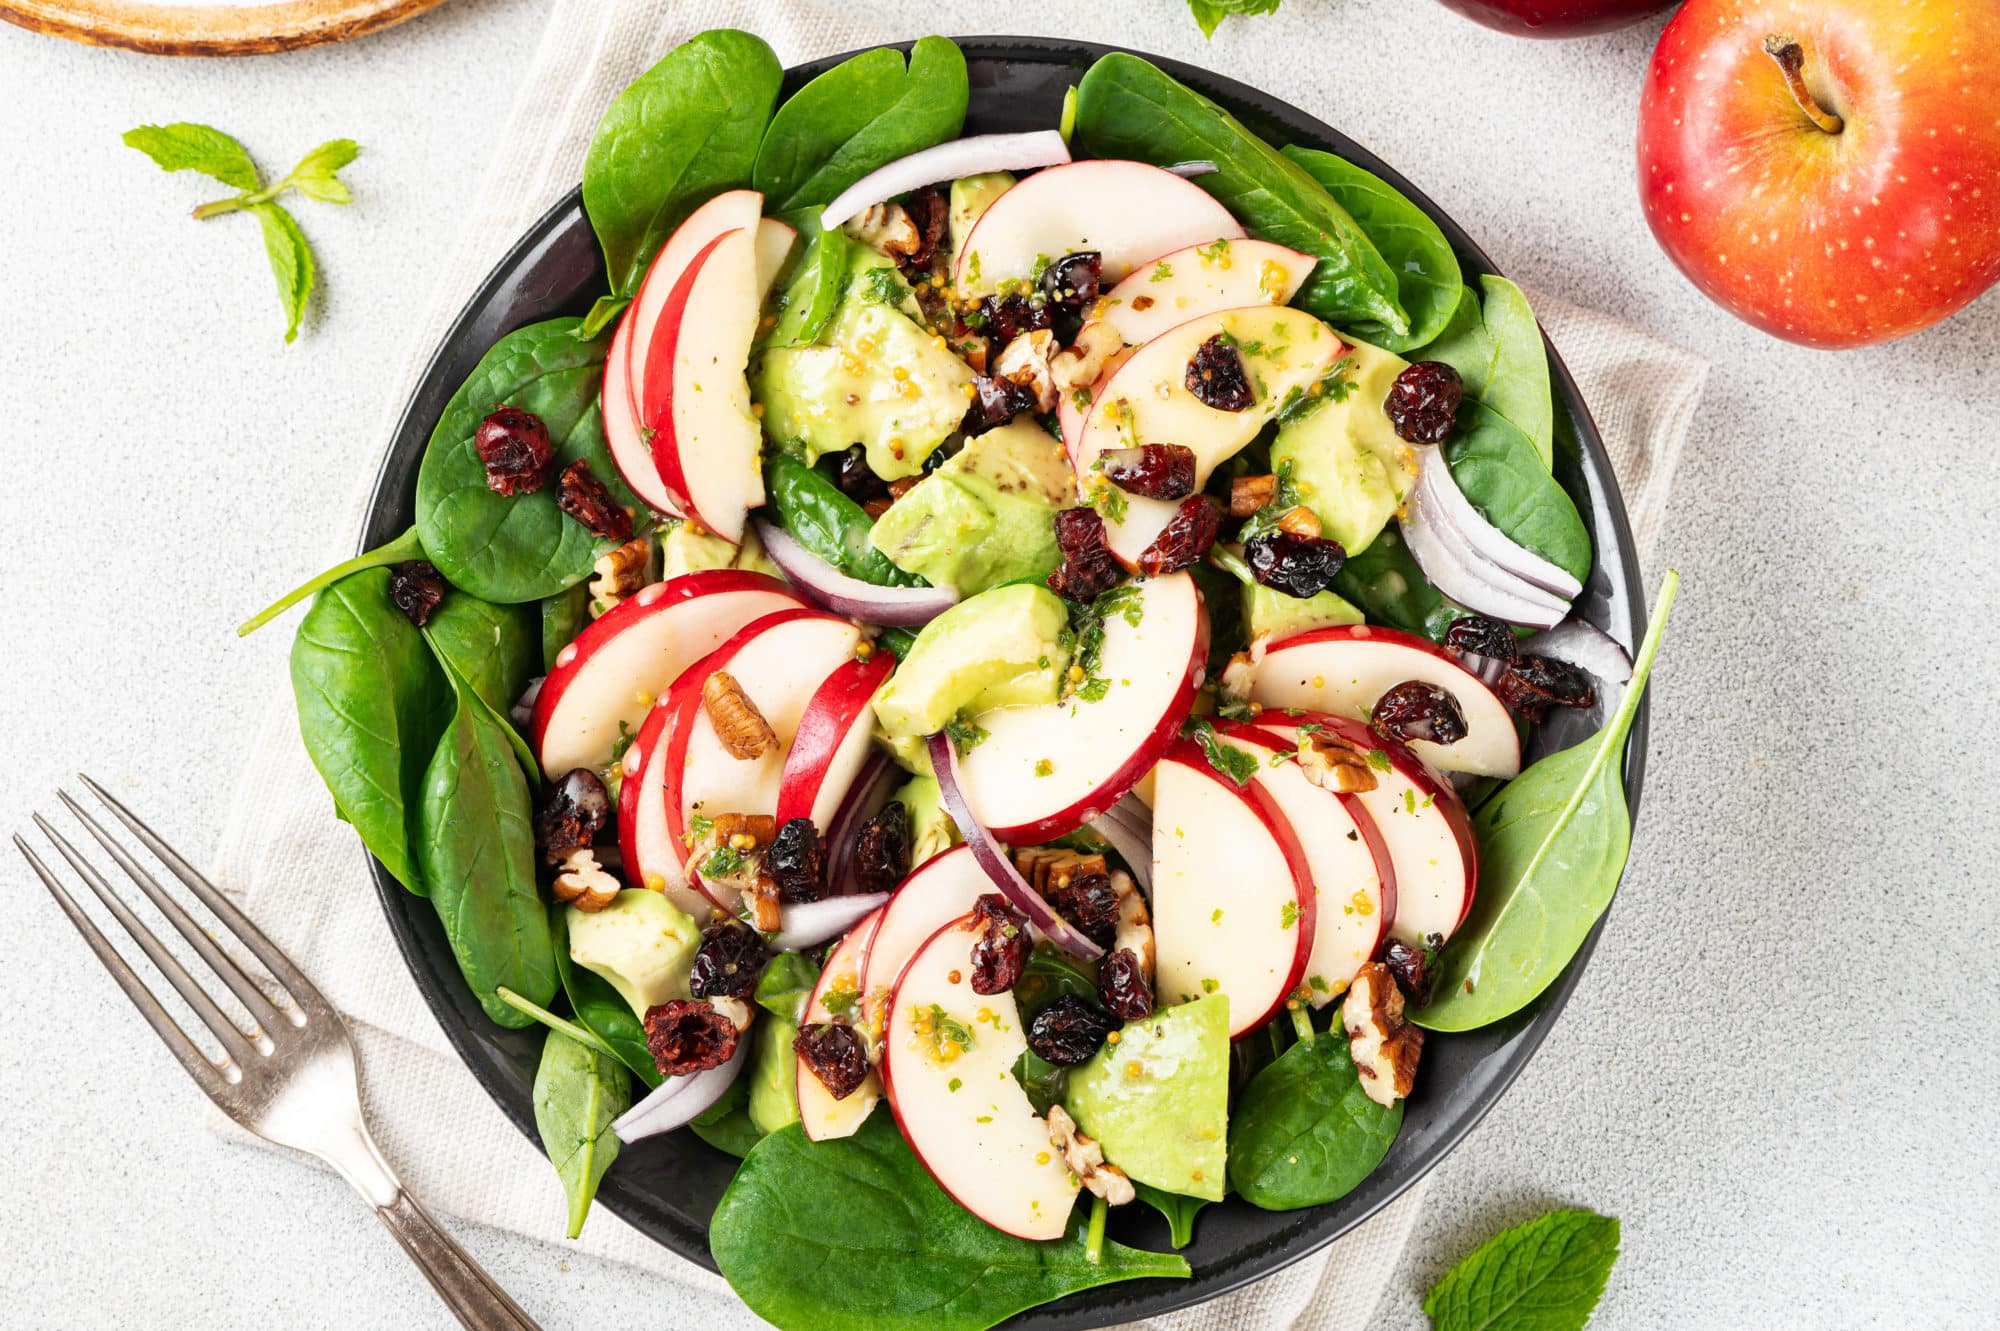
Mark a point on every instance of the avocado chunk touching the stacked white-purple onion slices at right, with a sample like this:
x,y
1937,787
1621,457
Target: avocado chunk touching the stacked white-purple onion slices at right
x,y
1347,461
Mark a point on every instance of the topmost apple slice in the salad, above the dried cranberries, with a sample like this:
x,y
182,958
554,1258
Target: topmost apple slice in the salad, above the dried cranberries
x,y
1125,211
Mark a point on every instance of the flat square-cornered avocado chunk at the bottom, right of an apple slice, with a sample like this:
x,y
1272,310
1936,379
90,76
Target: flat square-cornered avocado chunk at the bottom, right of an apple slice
x,y
1169,1124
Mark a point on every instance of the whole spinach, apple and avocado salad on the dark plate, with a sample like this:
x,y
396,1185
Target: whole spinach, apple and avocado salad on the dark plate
x,y
987,678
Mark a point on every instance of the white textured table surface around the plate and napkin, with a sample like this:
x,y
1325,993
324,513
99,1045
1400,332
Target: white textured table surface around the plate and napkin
x,y
1781,1072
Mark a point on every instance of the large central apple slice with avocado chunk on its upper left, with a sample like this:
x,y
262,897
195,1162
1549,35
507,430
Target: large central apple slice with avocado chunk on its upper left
x,y
1051,768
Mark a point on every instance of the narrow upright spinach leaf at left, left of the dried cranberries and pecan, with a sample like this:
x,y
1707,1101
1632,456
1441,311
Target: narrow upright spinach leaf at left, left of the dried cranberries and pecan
x,y
477,852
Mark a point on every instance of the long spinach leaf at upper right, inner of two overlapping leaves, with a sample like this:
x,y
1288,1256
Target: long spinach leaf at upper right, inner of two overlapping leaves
x,y
1129,109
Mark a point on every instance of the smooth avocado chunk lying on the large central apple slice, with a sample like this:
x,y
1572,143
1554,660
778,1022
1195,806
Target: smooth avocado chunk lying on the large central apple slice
x,y
995,651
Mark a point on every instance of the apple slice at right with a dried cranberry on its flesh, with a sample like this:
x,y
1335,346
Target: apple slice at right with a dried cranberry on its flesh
x,y
1345,670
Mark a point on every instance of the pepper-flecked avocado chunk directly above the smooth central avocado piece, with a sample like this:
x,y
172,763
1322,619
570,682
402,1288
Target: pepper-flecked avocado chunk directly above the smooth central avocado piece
x,y
987,517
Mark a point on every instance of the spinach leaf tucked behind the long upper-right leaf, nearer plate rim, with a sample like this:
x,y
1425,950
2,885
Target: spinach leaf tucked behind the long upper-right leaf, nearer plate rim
x,y
1427,271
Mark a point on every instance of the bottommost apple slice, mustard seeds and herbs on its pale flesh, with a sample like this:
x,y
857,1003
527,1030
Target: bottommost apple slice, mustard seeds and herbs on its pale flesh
x,y
961,1110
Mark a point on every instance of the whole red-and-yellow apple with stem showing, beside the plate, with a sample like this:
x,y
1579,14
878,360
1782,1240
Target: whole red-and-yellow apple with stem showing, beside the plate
x,y
1827,169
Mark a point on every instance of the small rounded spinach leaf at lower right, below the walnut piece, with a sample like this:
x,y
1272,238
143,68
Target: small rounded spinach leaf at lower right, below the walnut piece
x,y
1307,1132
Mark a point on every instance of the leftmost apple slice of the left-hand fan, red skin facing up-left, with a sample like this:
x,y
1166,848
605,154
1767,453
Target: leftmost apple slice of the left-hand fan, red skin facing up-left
x,y
607,678
